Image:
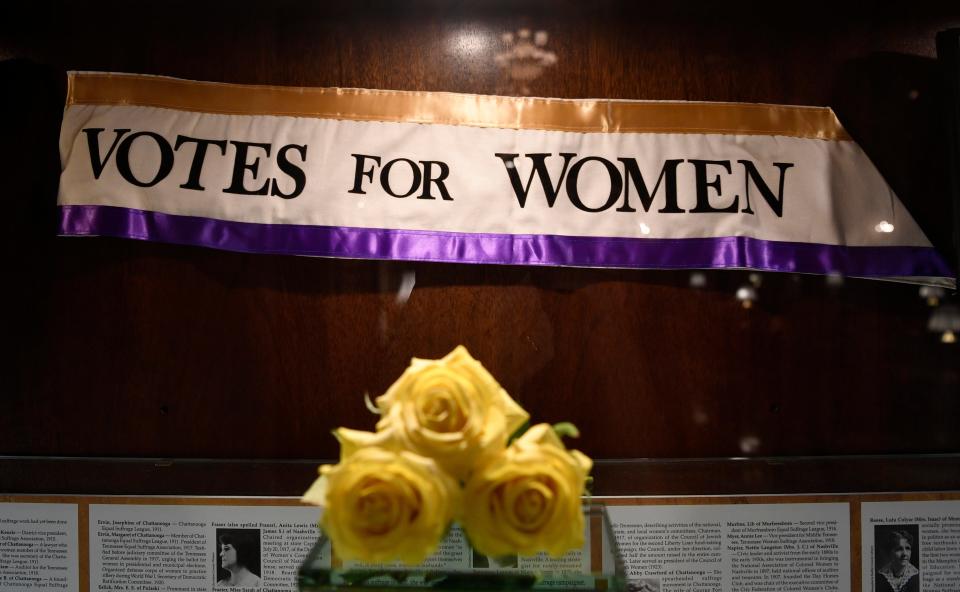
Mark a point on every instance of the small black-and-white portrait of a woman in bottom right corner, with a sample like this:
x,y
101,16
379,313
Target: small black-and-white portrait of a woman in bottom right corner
x,y
897,557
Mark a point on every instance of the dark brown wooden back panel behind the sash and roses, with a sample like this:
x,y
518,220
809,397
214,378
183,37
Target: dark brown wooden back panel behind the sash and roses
x,y
123,348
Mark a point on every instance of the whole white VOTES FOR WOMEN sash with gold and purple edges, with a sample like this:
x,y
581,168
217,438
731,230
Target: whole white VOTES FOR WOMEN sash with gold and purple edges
x,y
430,176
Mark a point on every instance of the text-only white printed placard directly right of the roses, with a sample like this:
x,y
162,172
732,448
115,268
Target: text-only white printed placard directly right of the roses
x,y
744,547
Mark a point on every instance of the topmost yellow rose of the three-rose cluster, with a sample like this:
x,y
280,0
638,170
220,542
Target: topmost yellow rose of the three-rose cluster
x,y
451,410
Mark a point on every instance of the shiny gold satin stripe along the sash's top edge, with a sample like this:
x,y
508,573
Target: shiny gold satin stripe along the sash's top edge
x,y
573,115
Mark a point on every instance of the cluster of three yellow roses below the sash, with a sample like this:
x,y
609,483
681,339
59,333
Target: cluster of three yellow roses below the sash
x,y
442,452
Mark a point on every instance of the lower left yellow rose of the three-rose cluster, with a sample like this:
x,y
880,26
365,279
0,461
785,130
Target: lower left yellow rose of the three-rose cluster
x,y
381,505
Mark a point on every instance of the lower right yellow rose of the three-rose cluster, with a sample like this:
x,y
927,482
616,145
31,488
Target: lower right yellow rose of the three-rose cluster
x,y
527,499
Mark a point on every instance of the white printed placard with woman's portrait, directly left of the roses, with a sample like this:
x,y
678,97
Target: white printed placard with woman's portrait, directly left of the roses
x,y
184,548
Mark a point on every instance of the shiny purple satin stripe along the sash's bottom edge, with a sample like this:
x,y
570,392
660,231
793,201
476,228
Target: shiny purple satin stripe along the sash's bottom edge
x,y
419,245
